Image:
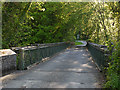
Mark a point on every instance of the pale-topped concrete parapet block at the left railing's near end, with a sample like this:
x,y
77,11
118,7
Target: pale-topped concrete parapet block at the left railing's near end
x,y
8,58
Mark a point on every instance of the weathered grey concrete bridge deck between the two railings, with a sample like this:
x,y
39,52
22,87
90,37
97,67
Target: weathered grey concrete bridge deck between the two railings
x,y
72,68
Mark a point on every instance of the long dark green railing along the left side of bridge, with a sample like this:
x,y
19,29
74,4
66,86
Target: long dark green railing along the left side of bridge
x,y
32,54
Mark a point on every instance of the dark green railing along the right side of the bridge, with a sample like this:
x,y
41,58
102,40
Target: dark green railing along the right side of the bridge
x,y
99,54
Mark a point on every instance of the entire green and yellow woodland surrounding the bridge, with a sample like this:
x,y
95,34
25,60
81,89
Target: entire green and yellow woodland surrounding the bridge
x,y
26,23
